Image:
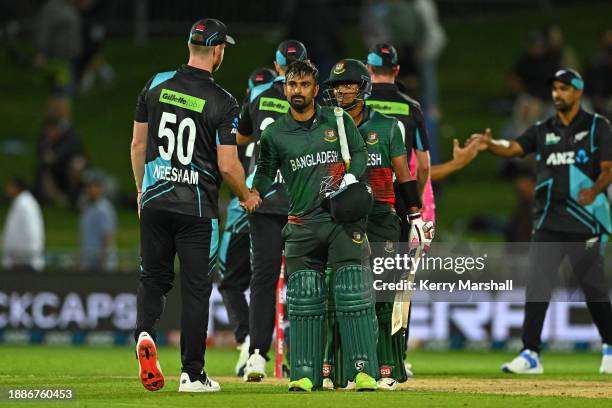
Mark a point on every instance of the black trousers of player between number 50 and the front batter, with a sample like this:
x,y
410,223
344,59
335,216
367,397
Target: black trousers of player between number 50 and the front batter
x,y
266,257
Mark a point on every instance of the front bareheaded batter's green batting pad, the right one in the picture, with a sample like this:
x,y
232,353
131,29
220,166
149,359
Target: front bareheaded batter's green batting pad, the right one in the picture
x,y
354,297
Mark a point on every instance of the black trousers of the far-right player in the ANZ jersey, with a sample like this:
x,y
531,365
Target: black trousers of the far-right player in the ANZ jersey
x,y
547,251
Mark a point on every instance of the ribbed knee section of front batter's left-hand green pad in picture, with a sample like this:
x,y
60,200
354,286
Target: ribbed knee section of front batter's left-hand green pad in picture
x,y
306,293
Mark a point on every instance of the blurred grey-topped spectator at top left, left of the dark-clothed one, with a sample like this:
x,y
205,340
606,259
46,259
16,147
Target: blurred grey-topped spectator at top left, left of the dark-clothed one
x,y
57,43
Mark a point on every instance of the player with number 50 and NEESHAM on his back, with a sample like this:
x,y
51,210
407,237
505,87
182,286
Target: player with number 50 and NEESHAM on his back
x,y
183,144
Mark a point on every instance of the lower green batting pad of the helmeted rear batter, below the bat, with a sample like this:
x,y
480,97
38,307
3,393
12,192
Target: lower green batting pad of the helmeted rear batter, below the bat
x,y
391,349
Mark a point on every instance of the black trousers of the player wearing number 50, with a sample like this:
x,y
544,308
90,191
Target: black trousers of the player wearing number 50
x,y
162,236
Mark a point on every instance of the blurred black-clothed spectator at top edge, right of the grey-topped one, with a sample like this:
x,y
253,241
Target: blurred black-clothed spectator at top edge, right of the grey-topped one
x,y
91,63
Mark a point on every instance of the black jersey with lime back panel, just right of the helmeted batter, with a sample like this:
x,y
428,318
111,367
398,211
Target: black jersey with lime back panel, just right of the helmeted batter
x,y
388,99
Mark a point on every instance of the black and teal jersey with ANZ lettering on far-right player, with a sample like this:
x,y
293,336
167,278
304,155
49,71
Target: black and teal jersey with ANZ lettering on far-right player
x,y
568,160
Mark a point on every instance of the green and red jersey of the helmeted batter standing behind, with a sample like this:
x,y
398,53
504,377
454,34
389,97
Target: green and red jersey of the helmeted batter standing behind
x,y
384,142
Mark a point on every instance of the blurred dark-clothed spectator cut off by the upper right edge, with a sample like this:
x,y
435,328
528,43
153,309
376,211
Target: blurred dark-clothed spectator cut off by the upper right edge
x,y
598,77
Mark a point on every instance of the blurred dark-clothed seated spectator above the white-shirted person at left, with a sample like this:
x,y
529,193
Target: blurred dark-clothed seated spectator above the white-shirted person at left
x,y
61,161
